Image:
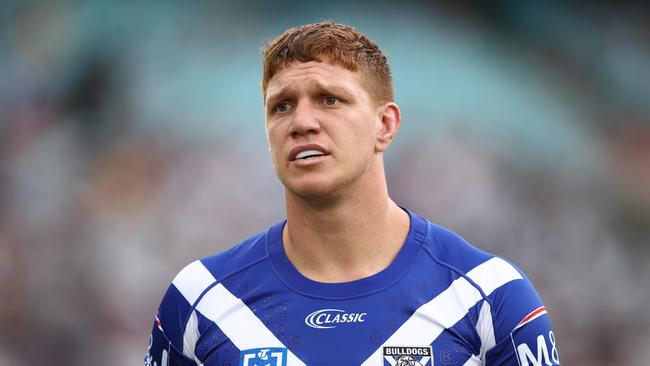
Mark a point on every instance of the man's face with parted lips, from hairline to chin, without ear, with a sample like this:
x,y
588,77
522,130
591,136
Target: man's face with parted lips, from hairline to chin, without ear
x,y
321,126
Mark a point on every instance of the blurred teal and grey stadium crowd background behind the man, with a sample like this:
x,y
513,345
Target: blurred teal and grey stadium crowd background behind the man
x,y
132,142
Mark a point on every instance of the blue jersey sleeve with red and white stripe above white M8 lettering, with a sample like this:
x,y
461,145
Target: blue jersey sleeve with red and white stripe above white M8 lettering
x,y
523,335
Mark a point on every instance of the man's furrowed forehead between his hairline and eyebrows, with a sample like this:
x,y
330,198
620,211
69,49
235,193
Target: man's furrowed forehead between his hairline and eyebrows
x,y
312,74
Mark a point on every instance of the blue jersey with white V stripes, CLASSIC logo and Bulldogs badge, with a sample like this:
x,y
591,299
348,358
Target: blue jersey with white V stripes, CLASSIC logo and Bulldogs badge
x,y
440,302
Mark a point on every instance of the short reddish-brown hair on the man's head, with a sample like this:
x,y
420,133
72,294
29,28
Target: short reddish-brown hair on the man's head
x,y
335,43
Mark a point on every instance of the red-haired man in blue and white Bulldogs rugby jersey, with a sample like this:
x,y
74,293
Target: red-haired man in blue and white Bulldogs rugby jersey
x,y
349,278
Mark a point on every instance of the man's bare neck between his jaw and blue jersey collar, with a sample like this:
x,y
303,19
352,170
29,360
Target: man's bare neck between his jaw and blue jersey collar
x,y
349,239
